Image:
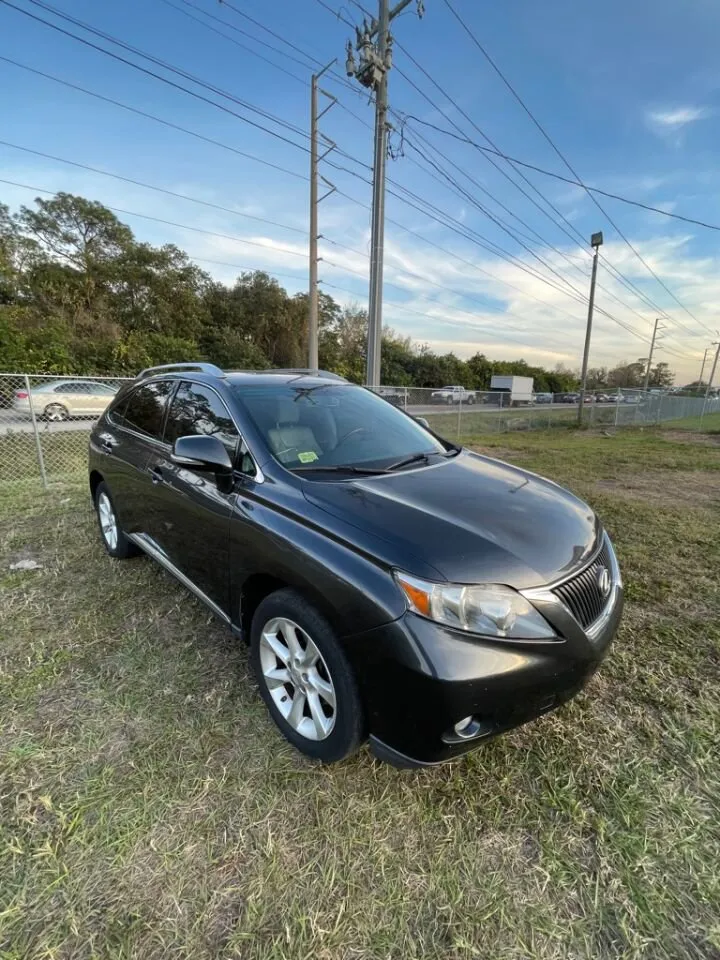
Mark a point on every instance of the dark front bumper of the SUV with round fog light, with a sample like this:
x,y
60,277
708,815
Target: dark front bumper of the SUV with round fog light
x,y
419,678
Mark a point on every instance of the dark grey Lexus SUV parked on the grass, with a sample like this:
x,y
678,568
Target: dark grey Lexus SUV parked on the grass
x,y
390,583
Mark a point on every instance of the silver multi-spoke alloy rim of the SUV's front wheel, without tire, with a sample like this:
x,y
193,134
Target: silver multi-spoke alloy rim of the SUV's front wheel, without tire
x,y
297,678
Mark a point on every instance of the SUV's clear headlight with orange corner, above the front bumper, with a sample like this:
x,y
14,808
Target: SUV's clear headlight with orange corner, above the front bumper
x,y
489,608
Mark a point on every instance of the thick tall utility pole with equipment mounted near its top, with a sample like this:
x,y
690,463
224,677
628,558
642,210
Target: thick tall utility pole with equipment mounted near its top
x,y
374,45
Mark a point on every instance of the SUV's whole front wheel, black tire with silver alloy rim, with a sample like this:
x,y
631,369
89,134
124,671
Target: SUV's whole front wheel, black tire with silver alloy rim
x,y
304,678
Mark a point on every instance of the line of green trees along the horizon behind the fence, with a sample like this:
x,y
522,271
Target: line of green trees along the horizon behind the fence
x,y
79,294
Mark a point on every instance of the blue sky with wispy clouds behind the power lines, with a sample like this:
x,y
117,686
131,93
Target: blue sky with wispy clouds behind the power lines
x,y
630,92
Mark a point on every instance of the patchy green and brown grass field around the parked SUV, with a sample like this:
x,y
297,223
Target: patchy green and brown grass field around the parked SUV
x,y
148,809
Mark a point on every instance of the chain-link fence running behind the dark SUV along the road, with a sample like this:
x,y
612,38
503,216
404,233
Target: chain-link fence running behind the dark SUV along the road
x,y
45,421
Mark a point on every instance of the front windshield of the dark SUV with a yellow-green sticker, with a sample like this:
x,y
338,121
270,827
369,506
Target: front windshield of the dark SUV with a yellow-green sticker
x,y
333,425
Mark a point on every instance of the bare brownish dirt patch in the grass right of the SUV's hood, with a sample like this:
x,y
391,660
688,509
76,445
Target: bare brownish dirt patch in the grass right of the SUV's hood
x,y
695,488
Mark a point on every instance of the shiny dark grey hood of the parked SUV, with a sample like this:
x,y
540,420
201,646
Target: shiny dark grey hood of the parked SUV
x,y
472,518
